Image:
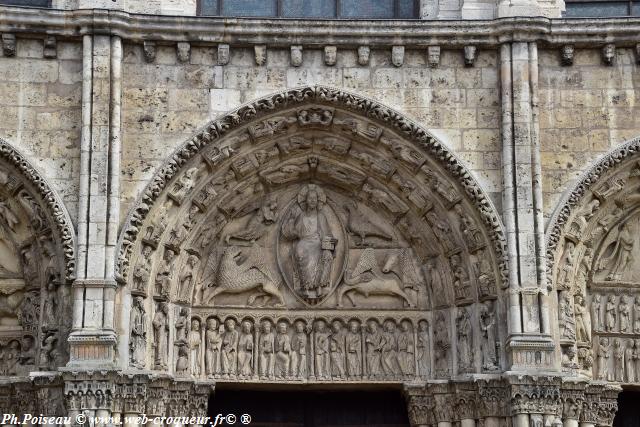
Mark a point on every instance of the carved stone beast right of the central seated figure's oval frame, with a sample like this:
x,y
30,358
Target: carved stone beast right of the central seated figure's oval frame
x,y
367,279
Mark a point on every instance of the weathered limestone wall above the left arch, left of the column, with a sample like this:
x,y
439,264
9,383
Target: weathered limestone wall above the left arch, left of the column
x,y
41,111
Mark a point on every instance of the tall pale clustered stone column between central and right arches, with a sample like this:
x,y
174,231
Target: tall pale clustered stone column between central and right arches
x,y
529,341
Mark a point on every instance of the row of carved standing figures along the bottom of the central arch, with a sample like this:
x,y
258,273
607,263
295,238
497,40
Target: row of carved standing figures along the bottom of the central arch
x,y
309,349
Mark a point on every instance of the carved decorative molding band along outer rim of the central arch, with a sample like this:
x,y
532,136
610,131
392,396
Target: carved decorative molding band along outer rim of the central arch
x,y
217,129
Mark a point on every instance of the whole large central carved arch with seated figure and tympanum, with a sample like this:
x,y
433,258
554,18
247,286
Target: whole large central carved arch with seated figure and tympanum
x,y
280,232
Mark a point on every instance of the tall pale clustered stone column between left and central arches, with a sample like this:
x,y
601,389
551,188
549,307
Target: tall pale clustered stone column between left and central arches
x,y
93,338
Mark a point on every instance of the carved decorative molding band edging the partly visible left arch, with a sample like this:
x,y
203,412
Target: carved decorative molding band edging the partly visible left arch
x,y
52,202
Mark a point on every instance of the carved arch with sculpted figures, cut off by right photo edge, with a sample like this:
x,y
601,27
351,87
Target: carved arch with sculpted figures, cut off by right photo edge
x,y
593,239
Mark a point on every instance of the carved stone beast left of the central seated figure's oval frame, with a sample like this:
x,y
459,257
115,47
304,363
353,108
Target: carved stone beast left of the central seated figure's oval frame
x,y
236,275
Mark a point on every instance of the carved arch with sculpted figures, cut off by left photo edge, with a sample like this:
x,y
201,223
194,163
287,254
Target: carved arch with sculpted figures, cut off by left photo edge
x,y
36,268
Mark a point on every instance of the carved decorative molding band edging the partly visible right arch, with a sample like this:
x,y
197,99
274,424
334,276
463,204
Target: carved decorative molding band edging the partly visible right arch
x,y
562,213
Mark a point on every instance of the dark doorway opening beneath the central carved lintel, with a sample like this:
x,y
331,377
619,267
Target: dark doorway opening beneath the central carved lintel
x,y
330,408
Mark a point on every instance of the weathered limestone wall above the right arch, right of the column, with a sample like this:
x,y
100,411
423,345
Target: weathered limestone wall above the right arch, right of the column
x,y
585,110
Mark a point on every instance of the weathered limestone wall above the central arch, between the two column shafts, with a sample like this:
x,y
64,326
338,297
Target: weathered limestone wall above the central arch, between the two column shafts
x,y
165,101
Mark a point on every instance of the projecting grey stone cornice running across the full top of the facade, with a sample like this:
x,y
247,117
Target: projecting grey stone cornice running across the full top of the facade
x,y
284,33
